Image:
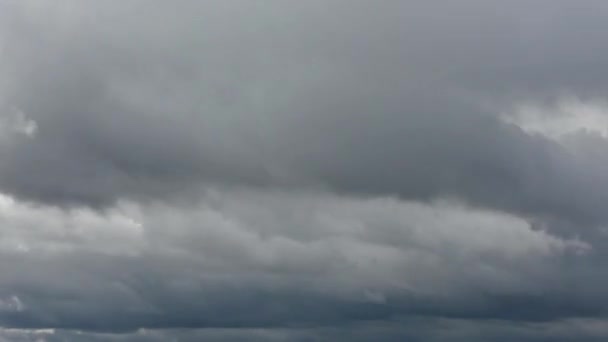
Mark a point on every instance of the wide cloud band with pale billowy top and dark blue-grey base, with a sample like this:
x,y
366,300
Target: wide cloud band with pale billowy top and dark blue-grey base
x,y
280,260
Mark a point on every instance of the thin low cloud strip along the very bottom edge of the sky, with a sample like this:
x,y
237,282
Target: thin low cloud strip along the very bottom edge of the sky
x,y
414,329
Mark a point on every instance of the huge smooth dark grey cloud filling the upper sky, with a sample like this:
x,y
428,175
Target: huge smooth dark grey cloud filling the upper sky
x,y
362,98
